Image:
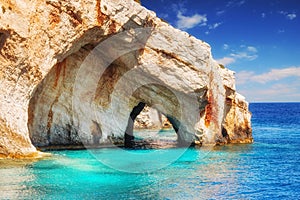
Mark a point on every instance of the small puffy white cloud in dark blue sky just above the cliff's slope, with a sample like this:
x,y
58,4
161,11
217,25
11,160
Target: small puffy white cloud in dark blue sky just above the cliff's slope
x,y
188,22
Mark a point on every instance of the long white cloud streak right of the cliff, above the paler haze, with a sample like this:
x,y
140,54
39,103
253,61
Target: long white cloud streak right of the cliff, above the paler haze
x,y
272,75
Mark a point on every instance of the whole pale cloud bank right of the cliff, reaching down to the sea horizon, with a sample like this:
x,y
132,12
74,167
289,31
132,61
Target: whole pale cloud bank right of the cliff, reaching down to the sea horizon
x,y
275,85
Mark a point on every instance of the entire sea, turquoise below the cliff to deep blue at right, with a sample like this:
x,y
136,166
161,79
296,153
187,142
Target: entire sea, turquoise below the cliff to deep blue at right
x,y
267,169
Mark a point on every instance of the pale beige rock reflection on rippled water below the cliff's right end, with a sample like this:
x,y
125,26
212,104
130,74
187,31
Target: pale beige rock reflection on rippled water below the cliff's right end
x,y
209,177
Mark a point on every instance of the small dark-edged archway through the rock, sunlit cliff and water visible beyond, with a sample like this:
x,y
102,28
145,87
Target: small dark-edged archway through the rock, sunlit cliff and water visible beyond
x,y
149,128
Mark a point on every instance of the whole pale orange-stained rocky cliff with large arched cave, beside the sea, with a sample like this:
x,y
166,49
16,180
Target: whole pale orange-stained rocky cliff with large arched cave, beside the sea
x,y
73,72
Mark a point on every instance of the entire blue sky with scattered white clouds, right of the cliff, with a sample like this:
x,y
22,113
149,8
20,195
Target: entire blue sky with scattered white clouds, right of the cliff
x,y
258,39
